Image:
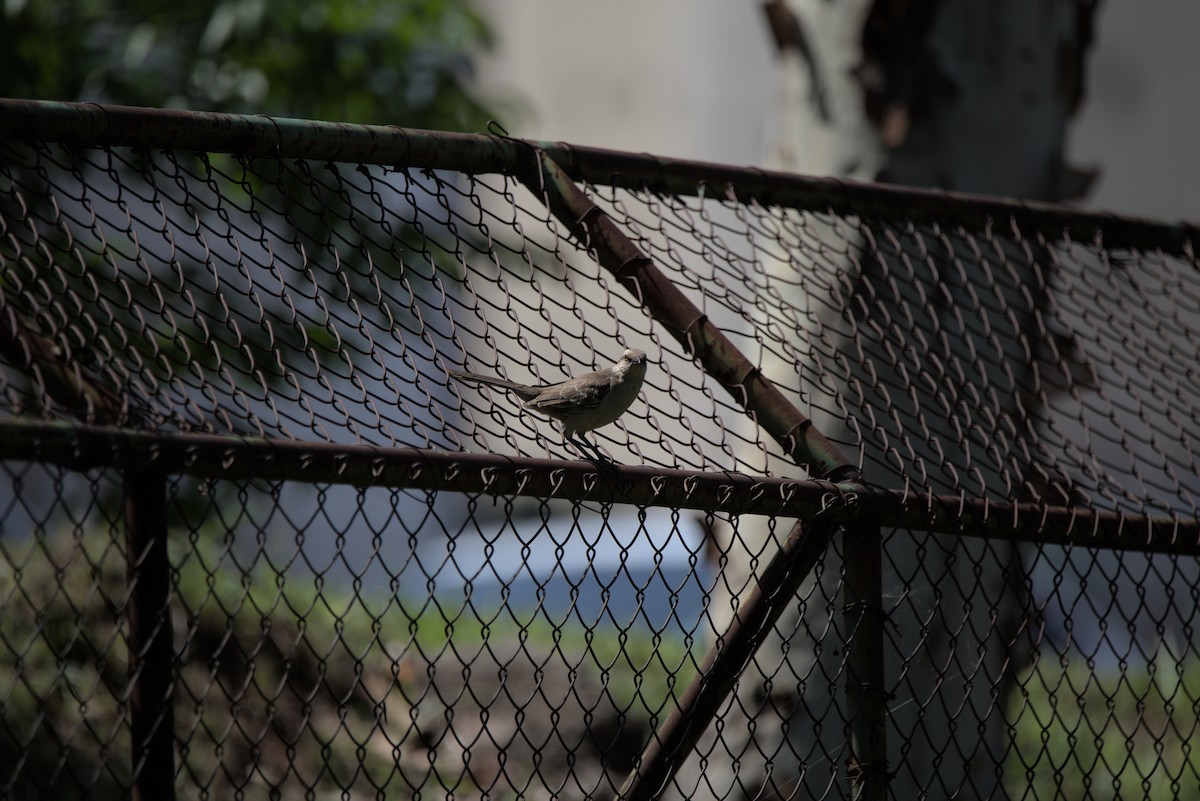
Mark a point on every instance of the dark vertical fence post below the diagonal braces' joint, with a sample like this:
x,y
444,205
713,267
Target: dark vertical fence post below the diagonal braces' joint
x,y
866,694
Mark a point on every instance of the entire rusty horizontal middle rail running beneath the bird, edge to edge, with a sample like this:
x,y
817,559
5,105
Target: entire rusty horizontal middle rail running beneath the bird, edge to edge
x,y
224,457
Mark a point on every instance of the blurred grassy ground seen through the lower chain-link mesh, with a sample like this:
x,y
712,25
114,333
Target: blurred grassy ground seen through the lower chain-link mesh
x,y
289,684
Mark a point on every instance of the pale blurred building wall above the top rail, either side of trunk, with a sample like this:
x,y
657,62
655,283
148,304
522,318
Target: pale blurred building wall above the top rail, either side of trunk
x,y
698,80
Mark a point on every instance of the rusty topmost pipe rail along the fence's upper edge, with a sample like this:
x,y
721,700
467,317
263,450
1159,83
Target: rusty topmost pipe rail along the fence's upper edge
x,y
261,136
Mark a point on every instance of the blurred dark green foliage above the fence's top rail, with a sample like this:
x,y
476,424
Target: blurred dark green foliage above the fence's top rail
x,y
387,62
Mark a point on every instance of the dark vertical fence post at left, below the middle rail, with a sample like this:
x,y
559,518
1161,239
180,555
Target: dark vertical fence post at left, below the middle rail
x,y
151,635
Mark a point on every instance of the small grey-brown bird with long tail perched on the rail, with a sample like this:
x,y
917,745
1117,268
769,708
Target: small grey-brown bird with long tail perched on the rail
x,y
580,403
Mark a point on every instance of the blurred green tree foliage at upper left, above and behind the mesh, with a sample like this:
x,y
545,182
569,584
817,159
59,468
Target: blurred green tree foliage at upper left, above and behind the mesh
x,y
383,62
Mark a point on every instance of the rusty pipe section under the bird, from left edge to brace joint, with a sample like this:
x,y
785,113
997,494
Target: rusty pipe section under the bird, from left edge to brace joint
x,y
214,456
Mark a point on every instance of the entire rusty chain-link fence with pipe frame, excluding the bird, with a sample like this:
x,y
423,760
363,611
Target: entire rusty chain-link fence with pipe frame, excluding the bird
x,y
907,507
